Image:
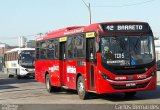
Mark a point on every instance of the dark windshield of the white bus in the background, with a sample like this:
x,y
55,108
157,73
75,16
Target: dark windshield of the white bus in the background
x,y
27,58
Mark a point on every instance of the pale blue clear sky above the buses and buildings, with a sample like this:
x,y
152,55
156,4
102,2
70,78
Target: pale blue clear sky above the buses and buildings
x,y
30,17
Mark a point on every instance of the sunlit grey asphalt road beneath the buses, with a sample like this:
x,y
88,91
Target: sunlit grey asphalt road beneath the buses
x,y
29,91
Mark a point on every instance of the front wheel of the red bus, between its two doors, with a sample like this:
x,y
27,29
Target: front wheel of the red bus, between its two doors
x,y
81,89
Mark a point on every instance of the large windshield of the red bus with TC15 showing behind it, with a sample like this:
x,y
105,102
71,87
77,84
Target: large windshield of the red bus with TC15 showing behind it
x,y
127,50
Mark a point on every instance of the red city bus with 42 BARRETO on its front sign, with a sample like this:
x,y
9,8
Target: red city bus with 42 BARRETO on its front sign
x,y
108,57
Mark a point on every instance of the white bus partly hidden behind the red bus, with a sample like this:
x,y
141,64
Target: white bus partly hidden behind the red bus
x,y
19,62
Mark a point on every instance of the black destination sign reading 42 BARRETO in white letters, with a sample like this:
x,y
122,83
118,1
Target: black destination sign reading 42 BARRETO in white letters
x,y
127,27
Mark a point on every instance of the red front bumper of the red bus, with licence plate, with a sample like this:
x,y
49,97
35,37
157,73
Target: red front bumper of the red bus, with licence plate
x,y
111,86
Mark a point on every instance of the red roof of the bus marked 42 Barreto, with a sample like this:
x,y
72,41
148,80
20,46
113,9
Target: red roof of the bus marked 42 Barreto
x,y
79,29
